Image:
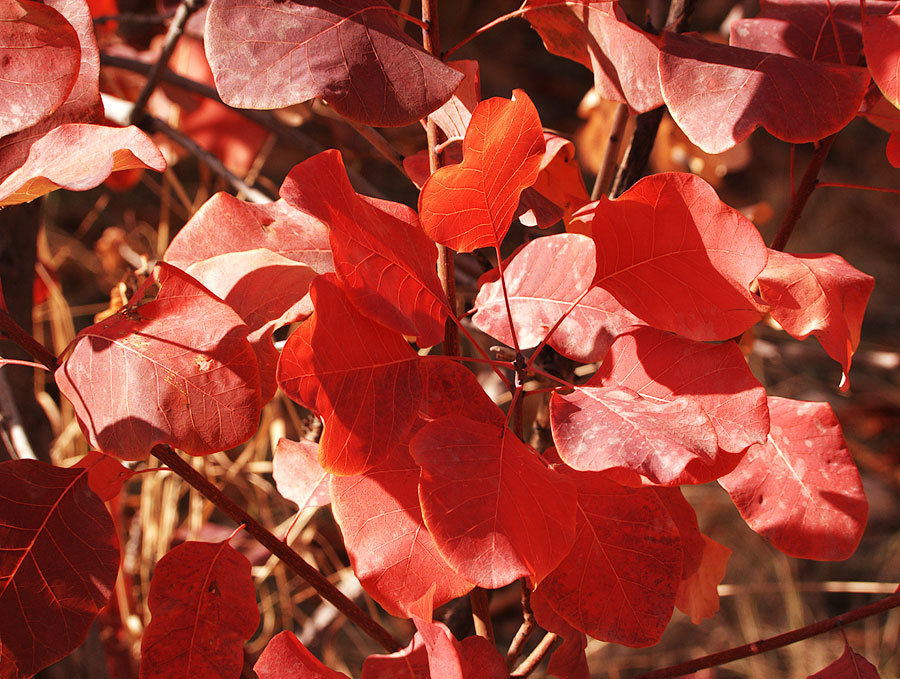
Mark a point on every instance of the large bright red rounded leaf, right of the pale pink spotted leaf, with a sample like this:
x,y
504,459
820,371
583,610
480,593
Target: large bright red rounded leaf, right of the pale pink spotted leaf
x,y
679,258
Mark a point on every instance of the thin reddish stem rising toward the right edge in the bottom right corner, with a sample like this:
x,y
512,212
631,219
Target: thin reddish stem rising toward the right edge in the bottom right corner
x,y
757,647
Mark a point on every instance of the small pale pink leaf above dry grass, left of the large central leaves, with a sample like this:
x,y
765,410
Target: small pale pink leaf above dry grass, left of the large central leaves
x,y
298,475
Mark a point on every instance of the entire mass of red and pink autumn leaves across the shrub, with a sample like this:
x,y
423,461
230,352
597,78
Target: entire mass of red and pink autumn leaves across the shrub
x,y
433,488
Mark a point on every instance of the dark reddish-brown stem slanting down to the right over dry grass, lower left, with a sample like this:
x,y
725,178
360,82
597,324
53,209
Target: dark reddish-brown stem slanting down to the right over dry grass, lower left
x,y
280,549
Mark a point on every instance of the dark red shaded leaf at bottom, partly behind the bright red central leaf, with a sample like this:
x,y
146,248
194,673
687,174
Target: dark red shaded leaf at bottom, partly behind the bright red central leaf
x,y
618,582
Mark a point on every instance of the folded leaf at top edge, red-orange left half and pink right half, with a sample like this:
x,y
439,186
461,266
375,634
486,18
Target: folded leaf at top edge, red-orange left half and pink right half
x,y
599,36
